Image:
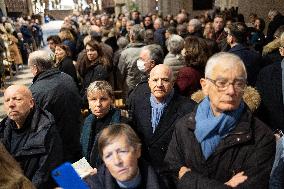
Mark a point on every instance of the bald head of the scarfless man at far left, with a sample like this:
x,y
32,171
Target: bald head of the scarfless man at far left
x,y
18,103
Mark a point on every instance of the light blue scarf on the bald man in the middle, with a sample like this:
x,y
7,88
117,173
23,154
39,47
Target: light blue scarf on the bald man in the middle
x,y
158,109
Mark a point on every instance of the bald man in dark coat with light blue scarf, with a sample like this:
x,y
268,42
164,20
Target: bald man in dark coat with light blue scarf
x,y
154,112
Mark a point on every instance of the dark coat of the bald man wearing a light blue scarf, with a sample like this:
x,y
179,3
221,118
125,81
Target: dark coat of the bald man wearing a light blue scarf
x,y
155,145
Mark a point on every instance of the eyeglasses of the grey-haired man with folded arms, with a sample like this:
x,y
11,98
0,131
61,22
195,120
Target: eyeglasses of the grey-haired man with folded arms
x,y
223,84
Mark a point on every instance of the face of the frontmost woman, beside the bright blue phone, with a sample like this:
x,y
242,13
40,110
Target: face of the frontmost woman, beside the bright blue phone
x,y
121,159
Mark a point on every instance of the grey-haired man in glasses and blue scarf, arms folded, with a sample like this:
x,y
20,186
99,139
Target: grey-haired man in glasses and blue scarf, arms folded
x,y
221,144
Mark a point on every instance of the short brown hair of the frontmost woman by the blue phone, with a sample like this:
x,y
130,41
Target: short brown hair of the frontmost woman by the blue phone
x,y
116,130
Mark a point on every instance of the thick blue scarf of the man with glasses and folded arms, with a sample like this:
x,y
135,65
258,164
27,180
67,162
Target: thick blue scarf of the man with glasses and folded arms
x,y
210,129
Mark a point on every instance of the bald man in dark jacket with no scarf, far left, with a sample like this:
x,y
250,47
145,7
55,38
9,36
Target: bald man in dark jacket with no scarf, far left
x,y
30,136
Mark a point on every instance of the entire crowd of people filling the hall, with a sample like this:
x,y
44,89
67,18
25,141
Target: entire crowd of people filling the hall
x,y
202,101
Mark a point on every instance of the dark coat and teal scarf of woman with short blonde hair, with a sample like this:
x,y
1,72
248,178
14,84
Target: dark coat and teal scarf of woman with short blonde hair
x,y
90,134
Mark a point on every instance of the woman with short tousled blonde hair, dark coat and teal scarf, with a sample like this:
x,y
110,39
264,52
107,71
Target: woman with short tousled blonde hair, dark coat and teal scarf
x,y
100,98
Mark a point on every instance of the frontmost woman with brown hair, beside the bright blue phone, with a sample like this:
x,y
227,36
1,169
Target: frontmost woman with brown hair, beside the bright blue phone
x,y
120,149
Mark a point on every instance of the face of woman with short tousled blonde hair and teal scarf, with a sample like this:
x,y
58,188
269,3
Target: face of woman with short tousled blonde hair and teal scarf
x,y
99,103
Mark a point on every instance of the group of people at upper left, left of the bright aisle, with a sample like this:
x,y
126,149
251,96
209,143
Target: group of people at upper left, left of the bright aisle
x,y
18,38
